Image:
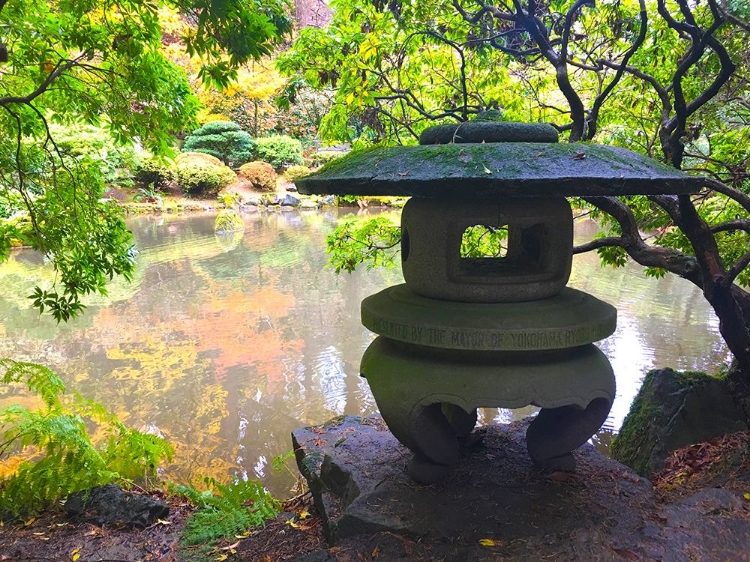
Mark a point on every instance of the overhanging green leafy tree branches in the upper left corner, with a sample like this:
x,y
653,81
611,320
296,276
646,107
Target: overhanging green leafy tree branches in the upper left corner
x,y
100,62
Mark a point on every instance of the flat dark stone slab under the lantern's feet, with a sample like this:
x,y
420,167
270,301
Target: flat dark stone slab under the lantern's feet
x,y
356,471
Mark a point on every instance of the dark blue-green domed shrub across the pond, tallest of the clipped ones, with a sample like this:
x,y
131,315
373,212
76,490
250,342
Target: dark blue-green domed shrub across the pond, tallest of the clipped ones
x,y
224,140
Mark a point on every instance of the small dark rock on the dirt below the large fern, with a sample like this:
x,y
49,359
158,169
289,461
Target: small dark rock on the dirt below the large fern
x,y
110,505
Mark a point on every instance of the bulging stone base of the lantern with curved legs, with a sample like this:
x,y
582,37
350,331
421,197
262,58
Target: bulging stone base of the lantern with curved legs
x,y
428,398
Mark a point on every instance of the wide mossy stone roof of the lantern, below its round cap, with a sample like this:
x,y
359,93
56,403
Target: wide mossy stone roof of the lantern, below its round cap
x,y
476,171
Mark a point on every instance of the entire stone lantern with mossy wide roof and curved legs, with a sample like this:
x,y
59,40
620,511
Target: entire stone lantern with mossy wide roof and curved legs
x,y
467,332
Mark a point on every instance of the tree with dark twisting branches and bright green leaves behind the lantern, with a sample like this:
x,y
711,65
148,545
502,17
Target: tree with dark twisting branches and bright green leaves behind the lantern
x,y
665,78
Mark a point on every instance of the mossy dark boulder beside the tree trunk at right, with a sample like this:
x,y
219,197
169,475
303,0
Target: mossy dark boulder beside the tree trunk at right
x,y
673,410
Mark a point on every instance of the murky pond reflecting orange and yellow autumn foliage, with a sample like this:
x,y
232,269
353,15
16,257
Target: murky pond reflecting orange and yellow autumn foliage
x,y
226,345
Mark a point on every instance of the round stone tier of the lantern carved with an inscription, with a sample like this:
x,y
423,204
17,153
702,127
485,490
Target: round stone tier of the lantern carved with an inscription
x,y
569,319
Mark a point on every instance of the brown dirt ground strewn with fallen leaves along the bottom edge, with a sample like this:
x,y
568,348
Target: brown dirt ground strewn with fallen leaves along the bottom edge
x,y
297,532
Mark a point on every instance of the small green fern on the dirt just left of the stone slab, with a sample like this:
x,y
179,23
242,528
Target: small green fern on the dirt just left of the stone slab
x,y
226,510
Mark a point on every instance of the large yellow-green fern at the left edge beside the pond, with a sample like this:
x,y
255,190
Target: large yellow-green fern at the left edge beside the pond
x,y
58,455
